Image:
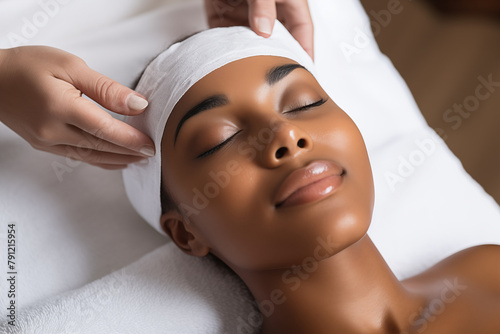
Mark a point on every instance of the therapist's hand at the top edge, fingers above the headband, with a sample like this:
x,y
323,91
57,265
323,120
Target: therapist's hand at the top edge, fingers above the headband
x,y
260,16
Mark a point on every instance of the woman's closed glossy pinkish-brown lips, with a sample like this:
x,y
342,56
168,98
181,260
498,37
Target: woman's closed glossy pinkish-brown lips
x,y
310,183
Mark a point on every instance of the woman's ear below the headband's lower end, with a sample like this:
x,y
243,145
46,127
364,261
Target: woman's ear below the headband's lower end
x,y
179,231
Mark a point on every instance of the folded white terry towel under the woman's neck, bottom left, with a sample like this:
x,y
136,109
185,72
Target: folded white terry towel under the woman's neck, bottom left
x,y
165,291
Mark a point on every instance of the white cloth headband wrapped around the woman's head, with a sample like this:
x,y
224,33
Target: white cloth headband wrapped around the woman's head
x,y
171,75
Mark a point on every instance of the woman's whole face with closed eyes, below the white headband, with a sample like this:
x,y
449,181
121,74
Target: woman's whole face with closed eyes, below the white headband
x,y
263,180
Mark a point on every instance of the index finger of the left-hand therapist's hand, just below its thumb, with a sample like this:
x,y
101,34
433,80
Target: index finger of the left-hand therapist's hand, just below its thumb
x,y
100,124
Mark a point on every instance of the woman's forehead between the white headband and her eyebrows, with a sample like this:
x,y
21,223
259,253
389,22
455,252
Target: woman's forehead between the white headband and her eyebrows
x,y
236,76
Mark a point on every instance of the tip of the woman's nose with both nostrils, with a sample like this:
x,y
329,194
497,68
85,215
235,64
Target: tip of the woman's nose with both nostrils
x,y
288,141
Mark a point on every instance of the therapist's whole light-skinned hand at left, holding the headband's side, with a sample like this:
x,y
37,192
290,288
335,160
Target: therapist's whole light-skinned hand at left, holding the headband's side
x,y
41,100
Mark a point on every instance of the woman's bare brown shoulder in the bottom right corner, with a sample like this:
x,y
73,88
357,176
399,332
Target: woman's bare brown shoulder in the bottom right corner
x,y
467,286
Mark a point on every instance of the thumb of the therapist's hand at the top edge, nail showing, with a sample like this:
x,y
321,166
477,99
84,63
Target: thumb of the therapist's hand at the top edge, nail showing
x,y
261,16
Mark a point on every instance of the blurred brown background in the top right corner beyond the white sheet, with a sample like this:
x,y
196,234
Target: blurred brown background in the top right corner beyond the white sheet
x,y
449,55
